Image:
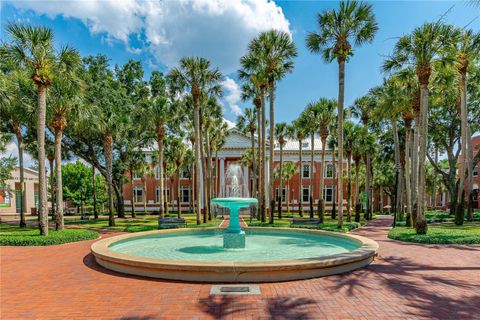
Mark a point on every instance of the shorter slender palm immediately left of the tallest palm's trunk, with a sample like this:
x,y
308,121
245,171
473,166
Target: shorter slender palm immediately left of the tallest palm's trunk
x,y
325,117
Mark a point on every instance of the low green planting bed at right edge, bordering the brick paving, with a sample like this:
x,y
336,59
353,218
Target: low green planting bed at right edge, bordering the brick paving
x,y
442,234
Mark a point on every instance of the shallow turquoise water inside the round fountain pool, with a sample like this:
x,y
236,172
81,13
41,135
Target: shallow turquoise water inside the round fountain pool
x,y
208,246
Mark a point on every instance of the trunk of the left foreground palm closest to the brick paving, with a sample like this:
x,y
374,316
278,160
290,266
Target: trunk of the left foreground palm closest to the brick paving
x,y
42,178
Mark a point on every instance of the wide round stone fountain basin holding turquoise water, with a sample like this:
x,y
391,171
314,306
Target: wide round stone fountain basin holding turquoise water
x,y
271,254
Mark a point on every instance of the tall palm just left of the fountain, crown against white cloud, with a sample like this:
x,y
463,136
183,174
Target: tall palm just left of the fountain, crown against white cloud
x,y
195,76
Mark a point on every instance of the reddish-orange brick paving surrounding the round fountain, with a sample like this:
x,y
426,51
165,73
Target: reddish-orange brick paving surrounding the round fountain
x,y
406,281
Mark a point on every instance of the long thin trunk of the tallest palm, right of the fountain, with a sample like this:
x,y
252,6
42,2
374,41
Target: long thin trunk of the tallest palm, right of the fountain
x,y
341,89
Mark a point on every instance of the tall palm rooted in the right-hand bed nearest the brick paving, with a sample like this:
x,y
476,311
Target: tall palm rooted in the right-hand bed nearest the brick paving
x,y
419,49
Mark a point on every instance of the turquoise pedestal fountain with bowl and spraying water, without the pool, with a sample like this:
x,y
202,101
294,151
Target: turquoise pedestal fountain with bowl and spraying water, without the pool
x,y
234,236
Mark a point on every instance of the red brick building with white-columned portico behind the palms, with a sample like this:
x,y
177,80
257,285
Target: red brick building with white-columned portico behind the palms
x,y
234,148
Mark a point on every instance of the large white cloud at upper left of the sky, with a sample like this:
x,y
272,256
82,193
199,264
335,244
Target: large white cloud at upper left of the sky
x,y
219,30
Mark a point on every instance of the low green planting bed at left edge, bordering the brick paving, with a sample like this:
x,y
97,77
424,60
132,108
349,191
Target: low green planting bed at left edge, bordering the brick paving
x,y
12,235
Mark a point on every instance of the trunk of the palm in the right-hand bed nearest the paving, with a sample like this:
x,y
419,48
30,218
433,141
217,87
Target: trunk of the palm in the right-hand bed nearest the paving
x,y
421,225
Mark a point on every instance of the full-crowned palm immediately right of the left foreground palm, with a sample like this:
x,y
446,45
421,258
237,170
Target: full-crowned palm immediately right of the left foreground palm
x,y
65,105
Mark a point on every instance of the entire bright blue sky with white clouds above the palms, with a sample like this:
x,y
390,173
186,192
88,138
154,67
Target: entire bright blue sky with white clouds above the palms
x,y
158,34
